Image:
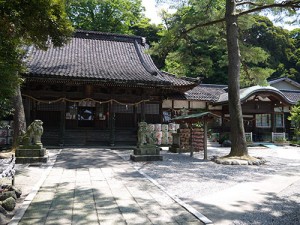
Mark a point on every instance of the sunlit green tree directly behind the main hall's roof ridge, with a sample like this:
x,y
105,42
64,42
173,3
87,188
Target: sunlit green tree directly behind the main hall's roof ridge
x,y
115,16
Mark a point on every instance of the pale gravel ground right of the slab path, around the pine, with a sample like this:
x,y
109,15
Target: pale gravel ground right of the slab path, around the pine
x,y
190,177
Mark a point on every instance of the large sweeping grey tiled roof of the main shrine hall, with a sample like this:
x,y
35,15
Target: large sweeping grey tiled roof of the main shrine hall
x,y
99,57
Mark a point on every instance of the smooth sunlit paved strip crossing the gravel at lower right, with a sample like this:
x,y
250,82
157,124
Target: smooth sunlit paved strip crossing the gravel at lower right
x,y
226,206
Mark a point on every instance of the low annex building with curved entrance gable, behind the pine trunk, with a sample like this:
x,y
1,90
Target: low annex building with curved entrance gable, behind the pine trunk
x,y
265,109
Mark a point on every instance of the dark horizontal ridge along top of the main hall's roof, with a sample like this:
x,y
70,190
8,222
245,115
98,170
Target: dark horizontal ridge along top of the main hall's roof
x,y
109,36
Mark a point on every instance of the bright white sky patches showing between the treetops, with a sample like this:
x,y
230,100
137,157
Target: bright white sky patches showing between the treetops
x,y
152,13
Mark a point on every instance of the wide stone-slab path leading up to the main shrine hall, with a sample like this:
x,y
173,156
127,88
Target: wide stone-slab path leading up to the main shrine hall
x,y
95,186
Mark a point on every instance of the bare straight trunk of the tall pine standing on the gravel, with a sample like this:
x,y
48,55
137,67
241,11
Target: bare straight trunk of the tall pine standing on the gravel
x,y
238,139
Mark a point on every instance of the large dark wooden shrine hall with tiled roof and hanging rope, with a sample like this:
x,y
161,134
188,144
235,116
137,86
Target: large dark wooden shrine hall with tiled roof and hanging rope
x,y
96,89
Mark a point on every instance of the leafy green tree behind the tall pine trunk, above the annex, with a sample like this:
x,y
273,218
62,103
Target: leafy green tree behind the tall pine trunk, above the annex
x,y
203,52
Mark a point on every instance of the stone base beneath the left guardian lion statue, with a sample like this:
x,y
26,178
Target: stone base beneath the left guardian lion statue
x,y
24,156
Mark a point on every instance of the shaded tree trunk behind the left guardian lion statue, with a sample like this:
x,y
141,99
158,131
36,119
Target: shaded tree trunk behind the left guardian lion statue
x,y
19,116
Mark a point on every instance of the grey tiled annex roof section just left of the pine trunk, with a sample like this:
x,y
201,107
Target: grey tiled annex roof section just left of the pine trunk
x,y
205,92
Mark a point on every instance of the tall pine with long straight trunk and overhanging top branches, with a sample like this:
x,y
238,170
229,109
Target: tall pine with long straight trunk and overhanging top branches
x,y
205,14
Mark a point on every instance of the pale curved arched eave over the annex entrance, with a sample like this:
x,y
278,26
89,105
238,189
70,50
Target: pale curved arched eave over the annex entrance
x,y
256,91
